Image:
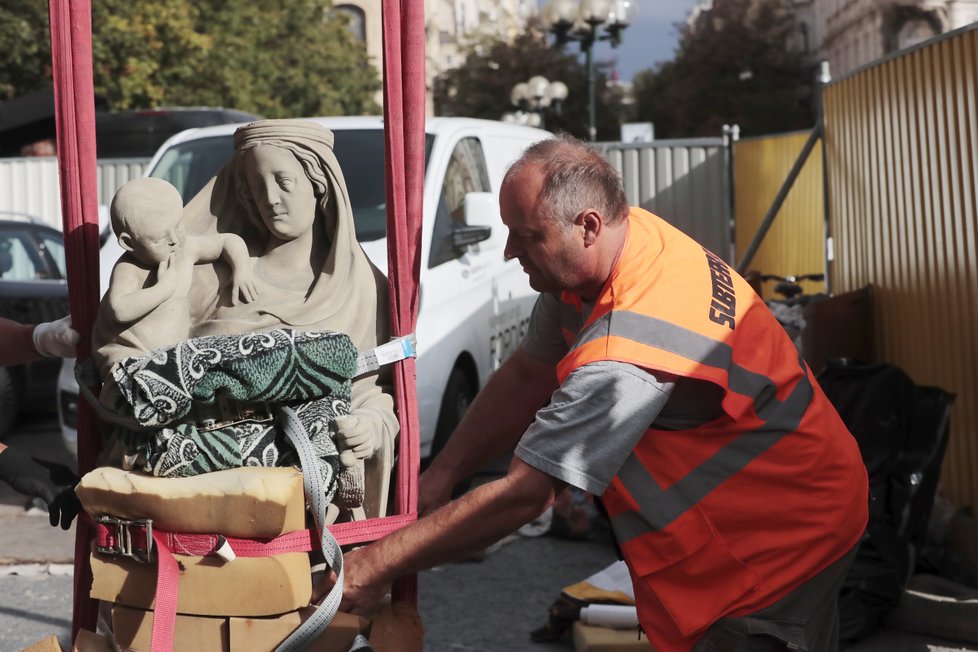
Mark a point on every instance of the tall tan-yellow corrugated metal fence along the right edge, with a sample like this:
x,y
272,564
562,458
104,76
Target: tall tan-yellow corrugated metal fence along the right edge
x,y
901,148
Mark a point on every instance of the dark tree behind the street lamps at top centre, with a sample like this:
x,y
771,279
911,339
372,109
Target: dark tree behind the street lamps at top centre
x,y
481,87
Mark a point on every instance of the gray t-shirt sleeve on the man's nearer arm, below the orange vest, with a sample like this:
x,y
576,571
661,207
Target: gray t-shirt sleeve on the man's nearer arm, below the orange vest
x,y
592,423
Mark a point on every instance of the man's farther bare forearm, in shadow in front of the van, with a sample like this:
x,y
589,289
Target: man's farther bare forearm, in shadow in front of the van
x,y
493,424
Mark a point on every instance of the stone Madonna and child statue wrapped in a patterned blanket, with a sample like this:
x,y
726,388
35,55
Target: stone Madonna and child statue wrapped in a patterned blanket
x,y
264,251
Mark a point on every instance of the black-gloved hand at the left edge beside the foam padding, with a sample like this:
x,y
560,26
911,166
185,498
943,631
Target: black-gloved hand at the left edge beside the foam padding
x,y
53,483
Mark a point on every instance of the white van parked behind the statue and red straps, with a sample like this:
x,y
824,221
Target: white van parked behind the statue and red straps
x,y
474,304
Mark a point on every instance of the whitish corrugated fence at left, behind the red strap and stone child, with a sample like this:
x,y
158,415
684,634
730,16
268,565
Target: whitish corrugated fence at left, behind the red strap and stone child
x,y
30,185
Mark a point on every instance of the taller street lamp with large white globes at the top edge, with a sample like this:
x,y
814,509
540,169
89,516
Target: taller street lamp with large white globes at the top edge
x,y
588,21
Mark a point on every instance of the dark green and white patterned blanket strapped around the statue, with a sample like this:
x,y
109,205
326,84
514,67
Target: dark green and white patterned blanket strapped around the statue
x,y
175,392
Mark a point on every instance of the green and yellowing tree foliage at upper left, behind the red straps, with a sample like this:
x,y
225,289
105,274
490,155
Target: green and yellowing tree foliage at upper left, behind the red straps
x,y
276,58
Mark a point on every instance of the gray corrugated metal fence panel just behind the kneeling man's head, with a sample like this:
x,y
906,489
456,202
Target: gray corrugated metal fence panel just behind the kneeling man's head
x,y
685,182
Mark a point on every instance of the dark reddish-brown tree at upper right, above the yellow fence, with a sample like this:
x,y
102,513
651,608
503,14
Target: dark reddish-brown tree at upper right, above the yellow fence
x,y
736,67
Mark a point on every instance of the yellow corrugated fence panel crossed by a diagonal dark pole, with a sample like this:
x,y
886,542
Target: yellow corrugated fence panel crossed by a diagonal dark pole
x,y
795,244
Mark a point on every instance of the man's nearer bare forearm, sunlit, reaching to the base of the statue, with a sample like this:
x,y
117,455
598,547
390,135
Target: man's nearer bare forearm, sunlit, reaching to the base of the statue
x,y
477,519
